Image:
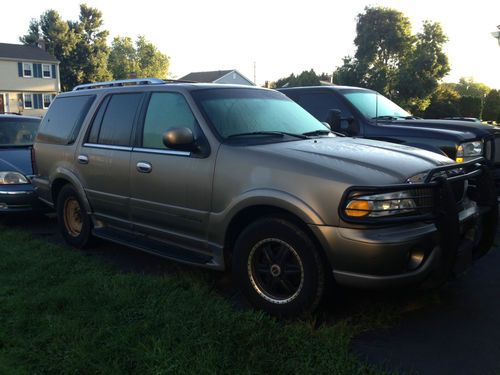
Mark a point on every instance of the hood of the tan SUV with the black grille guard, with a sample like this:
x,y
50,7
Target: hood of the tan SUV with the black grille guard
x,y
356,160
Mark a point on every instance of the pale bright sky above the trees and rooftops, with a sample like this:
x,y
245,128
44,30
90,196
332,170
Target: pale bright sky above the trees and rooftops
x,y
275,37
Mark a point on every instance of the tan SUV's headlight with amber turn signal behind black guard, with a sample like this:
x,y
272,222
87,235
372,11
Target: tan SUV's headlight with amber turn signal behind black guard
x,y
378,205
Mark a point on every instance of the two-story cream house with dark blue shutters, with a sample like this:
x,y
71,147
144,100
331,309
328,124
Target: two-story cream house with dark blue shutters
x,y
29,79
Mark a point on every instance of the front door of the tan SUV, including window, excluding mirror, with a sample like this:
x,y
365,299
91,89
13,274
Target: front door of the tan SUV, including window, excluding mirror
x,y
170,190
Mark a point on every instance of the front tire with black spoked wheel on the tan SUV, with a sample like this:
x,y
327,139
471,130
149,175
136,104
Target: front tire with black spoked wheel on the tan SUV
x,y
278,268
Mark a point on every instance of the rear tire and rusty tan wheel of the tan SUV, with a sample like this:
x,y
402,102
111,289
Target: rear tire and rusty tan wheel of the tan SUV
x,y
74,223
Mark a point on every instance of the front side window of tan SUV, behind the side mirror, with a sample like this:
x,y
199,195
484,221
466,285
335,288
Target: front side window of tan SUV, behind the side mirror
x,y
166,110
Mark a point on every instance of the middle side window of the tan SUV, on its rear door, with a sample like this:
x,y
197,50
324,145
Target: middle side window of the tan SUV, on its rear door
x,y
118,120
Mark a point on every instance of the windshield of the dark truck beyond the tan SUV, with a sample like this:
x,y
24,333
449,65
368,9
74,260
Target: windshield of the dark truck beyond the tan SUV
x,y
373,105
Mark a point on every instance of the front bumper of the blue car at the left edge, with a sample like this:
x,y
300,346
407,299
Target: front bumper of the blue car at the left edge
x,y
19,198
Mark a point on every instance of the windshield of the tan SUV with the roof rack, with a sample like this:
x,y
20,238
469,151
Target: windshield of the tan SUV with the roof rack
x,y
253,112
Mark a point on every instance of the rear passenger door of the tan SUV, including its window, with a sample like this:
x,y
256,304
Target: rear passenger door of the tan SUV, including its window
x,y
104,158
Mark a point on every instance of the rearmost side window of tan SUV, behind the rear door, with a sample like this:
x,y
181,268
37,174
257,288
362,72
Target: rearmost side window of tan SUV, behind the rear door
x,y
64,119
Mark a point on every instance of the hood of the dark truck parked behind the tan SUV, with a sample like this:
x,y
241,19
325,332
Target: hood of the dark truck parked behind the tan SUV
x,y
474,129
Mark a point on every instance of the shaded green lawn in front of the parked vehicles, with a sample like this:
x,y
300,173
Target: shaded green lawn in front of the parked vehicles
x,y
63,312
